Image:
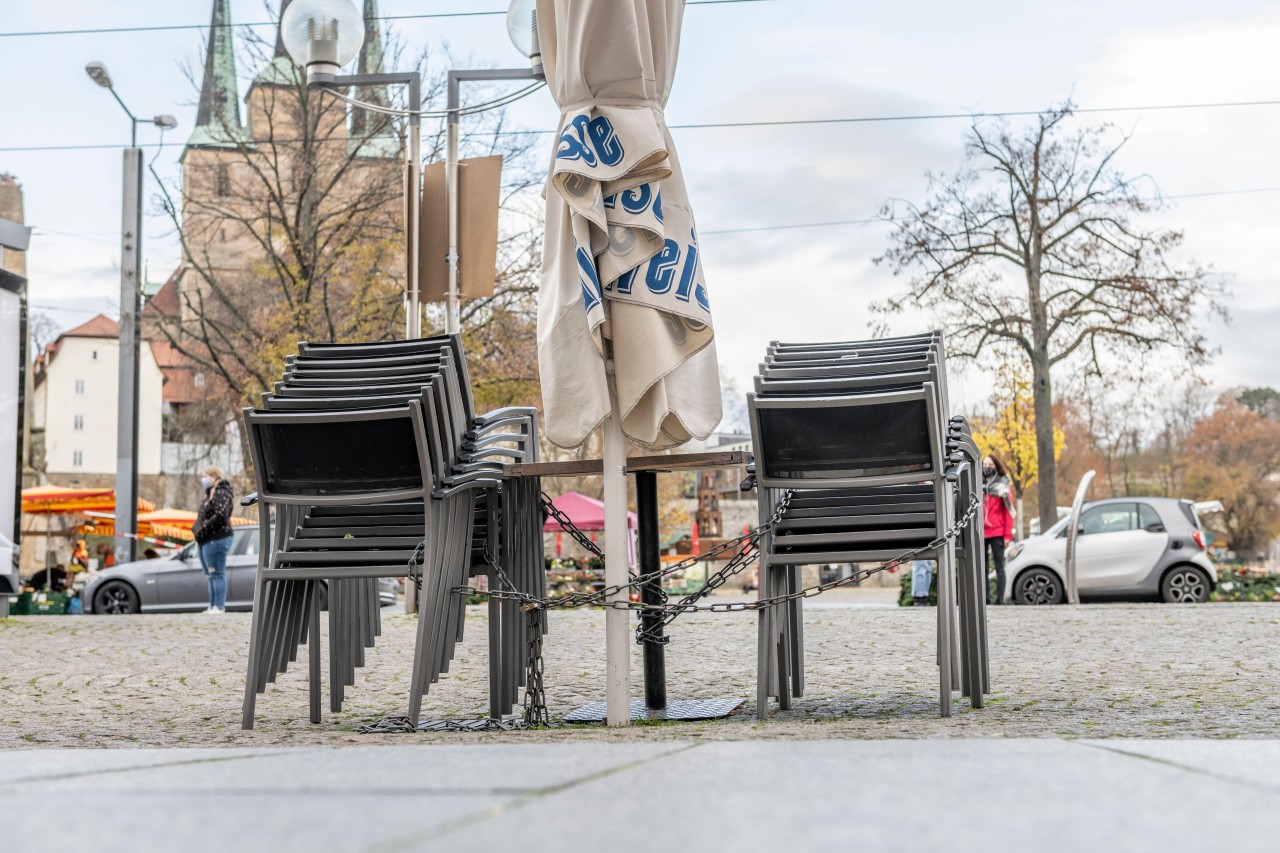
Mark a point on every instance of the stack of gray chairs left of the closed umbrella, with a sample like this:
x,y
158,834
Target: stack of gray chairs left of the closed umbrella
x,y
378,466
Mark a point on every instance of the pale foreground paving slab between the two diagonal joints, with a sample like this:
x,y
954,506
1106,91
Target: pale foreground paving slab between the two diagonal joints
x,y
895,796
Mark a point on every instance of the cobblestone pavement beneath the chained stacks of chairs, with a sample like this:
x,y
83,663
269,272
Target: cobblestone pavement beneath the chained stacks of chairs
x,y
1091,672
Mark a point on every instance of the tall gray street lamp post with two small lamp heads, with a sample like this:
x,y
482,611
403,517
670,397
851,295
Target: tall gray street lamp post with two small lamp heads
x,y
131,311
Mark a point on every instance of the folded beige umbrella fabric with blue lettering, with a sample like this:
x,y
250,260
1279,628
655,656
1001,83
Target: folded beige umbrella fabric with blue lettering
x,y
621,267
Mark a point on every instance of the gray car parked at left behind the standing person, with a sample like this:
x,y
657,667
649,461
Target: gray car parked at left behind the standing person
x,y
179,583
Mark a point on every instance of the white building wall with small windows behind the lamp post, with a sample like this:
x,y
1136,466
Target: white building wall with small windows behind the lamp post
x,y
81,403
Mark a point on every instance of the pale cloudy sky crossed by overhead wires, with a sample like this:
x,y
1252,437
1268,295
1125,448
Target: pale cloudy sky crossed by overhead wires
x,y
775,60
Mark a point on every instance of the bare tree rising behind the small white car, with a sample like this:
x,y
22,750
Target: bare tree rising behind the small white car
x,y
1037,241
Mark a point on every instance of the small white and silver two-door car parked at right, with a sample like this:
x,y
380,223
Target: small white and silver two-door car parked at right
x,y
1146,549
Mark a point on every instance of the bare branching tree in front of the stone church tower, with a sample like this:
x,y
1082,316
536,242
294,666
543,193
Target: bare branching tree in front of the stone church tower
x,y
294,230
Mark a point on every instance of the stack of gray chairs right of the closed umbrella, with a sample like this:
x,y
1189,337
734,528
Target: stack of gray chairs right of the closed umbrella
x,y
858,435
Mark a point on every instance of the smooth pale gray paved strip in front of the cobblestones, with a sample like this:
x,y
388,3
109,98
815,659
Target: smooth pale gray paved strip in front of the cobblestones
x,y
822,796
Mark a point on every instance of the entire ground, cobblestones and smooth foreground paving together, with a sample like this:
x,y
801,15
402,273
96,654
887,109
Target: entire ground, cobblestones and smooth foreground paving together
x,y
1123,727
